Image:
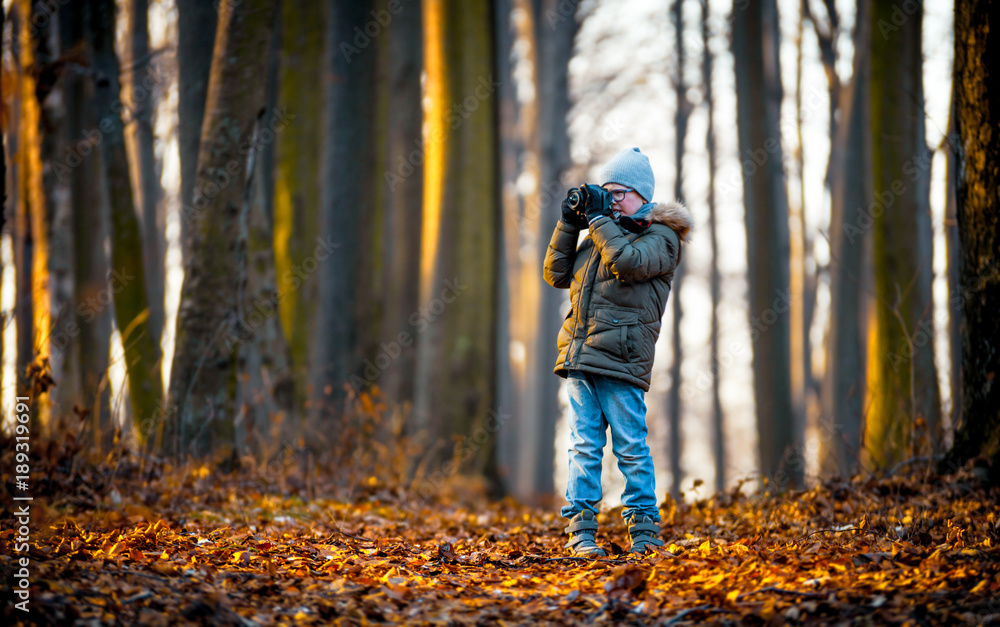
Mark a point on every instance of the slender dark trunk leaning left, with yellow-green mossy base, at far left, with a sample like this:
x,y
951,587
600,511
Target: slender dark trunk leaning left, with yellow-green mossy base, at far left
x,y
132,313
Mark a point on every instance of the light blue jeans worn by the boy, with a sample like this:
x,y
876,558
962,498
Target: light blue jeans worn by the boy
x,y
595,402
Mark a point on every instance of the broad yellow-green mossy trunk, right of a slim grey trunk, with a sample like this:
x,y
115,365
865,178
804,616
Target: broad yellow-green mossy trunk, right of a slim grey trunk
x,y
904,408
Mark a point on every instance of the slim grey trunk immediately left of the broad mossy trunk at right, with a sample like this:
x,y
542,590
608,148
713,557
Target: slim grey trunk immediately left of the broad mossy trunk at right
x,y
843,394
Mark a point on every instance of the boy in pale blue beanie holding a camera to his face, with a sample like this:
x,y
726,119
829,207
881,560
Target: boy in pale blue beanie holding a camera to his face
x,y
618,279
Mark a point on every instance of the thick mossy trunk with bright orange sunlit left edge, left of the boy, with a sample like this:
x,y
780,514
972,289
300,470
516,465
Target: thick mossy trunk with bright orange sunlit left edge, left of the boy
x,y
456,351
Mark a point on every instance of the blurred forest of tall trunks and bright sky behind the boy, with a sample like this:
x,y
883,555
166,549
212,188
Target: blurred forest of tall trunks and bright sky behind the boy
x,y
283,235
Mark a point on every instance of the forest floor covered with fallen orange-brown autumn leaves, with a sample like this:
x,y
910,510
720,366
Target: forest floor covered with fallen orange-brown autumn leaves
x,y
127,544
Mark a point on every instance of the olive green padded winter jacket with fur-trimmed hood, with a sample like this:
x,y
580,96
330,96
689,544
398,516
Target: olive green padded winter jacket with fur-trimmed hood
x,y
618,287
